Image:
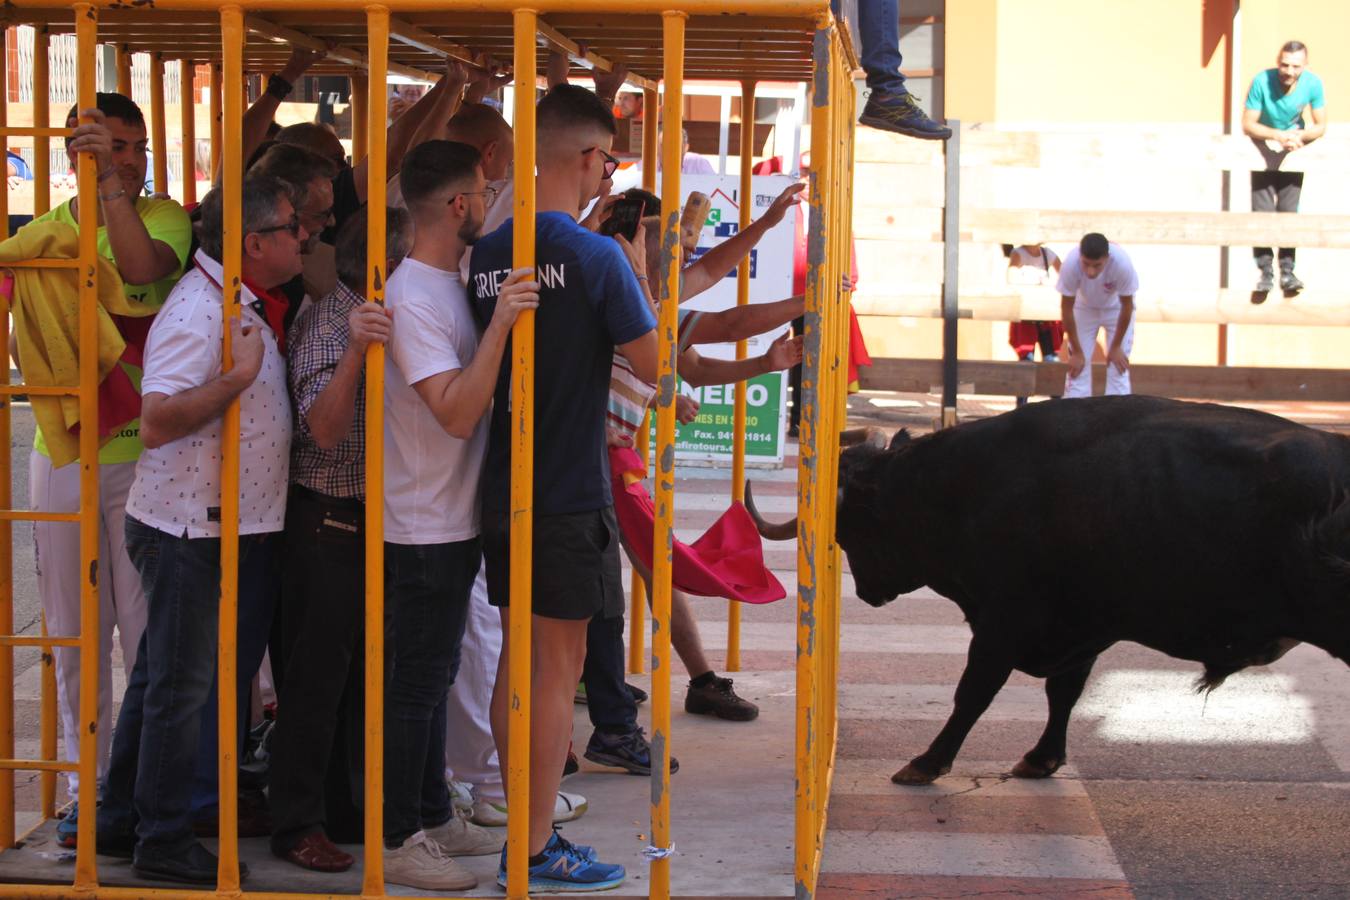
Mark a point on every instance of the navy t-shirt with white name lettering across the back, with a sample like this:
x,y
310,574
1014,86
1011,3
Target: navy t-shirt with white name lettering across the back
x,y
589,303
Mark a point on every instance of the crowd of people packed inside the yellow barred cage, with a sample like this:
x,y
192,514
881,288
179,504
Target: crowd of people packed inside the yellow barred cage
x,y
298,372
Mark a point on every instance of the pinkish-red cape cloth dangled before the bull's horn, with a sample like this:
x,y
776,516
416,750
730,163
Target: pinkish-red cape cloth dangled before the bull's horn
x,y
727,561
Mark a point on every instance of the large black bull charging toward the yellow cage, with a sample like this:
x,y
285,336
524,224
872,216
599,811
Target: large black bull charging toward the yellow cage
x,y
1206,532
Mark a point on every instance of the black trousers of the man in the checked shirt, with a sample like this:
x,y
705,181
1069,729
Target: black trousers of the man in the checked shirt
x,y
322,697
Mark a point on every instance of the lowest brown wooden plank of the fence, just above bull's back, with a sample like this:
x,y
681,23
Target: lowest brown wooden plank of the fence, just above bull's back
x,y
1047,380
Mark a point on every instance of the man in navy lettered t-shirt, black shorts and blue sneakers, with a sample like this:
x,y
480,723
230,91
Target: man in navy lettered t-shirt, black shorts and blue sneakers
x,y
591,303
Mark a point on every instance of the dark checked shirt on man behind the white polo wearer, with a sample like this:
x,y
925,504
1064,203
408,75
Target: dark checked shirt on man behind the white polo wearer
x,y
318,341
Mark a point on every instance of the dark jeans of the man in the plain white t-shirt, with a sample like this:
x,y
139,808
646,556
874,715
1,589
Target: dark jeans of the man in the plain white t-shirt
x,y
427,592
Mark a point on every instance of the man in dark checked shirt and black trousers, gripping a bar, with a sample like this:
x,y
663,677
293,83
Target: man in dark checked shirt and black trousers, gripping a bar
x,y
325,613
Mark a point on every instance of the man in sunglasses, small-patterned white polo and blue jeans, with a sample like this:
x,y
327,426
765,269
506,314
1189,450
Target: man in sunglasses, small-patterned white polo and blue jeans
x,y
173,522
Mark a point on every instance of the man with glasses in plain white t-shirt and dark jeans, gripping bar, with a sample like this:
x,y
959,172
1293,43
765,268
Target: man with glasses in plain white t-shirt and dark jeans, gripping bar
x,y
439,383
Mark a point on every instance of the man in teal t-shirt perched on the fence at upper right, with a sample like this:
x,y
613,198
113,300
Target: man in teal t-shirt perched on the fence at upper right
x,y
1275,113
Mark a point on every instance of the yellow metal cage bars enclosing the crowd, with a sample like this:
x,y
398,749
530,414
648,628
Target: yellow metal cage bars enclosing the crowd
x,y
824,415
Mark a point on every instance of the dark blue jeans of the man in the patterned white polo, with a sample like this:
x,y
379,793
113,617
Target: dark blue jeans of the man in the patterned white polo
x,y
159,733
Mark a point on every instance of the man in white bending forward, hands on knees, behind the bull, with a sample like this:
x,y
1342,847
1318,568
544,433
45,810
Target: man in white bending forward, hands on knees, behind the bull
x,y
1097,292
